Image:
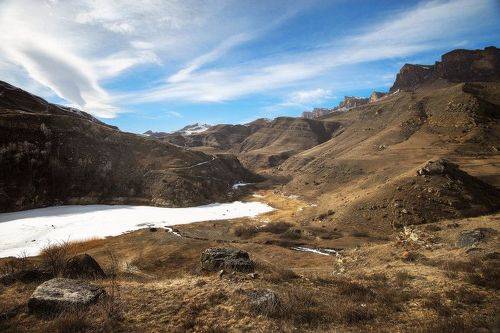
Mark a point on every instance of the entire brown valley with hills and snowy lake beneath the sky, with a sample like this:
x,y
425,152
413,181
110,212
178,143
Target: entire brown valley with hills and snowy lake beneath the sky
x,y
381,214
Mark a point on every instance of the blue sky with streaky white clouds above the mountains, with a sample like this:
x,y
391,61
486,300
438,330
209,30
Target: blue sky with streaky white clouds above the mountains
x,y
162,64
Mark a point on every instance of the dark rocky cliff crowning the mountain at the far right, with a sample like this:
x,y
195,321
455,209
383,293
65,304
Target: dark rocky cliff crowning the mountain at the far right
x,y
455,66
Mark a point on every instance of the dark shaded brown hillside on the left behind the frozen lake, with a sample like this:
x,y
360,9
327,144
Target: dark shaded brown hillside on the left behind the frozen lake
x,y
51,155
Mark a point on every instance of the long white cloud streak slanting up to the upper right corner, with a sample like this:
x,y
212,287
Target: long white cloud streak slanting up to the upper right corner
x,y
425,27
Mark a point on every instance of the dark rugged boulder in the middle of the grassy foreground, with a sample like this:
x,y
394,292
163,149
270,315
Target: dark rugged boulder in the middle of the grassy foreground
x,y
214,259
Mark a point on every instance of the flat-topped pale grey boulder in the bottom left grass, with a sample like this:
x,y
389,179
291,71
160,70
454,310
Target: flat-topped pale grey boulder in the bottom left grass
x,y
59,294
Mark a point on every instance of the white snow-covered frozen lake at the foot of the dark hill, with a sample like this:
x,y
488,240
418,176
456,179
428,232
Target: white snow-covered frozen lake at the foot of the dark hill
x,y
27,232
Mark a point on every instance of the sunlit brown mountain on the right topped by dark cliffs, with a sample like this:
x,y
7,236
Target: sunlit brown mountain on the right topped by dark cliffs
x,y
367,171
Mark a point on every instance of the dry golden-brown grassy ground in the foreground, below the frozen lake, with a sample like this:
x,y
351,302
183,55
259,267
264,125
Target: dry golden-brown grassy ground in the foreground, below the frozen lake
x,y
417,279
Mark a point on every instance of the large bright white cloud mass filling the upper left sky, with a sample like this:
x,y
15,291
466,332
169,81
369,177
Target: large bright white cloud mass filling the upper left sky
x,y
72,46
